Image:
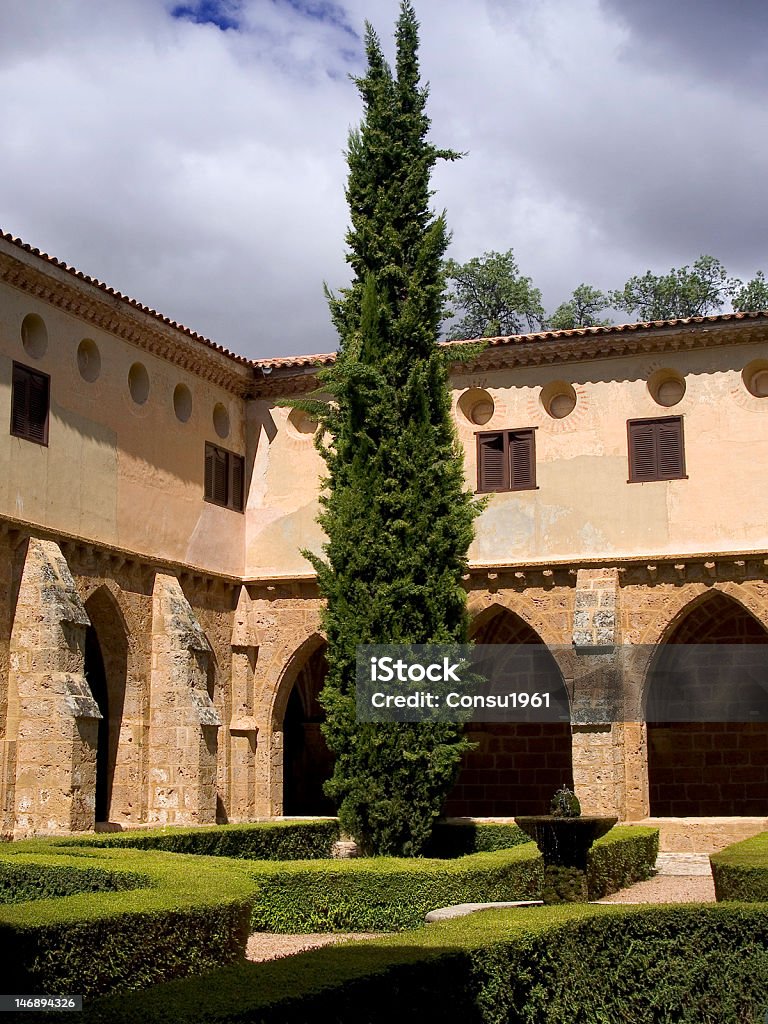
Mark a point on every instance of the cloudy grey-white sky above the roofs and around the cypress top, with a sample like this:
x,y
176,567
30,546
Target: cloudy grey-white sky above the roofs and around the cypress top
x,y
191,154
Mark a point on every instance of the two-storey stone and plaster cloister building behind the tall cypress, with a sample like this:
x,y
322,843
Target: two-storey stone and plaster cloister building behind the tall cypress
x,y
161,652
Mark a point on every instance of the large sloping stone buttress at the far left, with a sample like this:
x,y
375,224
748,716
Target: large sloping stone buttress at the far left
x,y
53,717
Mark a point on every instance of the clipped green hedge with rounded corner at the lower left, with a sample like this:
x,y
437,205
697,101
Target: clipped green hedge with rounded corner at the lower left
x,y
192,915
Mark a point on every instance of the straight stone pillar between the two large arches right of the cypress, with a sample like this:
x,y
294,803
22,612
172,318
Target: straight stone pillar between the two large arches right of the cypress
x,y
598,716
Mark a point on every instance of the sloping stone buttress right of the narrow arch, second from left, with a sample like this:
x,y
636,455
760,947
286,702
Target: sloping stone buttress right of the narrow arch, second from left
x,y
184,722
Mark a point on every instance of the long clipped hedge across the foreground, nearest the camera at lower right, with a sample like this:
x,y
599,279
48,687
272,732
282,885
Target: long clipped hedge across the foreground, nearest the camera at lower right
x,y
591,965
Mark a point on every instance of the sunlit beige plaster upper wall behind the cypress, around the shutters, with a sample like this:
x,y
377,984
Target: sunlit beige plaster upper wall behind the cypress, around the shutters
x,y
584,506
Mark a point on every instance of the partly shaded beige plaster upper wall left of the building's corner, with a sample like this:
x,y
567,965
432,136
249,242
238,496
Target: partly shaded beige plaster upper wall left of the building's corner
x,y
116,473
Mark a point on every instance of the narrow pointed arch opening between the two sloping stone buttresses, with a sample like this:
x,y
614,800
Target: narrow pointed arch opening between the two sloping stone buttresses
x,y
106,665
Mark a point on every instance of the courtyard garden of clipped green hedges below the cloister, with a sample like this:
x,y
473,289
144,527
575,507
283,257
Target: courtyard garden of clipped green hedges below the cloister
x,y
153,926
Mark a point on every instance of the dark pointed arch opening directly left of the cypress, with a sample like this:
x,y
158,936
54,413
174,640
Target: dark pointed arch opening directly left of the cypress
x,y
307,760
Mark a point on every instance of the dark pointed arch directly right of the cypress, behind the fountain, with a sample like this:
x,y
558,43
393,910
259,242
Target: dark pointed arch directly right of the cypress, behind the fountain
x,y
516,767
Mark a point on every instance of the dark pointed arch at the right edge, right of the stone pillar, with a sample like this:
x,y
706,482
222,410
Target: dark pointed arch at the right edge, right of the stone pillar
x,y
709,767
